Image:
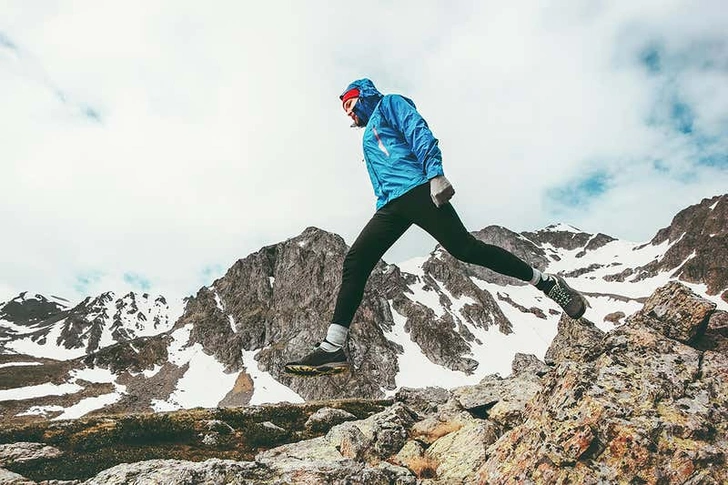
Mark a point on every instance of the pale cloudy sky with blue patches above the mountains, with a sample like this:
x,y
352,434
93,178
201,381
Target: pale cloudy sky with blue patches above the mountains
x,y
149,144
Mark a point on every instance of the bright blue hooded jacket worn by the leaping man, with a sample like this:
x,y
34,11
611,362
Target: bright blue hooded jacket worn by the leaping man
x,y
399,149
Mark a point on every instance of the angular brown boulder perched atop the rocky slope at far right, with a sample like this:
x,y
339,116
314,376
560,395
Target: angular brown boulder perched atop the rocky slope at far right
x,y
675,311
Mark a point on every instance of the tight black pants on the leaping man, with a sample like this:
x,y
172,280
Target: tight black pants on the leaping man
x,y
391,221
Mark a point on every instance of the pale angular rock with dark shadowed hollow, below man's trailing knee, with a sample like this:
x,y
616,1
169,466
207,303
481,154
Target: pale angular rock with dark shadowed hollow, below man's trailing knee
x,y
501,400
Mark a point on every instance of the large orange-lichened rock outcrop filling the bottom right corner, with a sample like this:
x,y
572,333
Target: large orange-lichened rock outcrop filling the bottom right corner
x,y
646,409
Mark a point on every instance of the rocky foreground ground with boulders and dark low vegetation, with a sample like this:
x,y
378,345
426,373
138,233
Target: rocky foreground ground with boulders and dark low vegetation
x,y
644,403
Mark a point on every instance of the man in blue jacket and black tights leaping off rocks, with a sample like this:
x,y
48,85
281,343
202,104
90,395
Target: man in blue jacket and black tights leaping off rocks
x,y
405,168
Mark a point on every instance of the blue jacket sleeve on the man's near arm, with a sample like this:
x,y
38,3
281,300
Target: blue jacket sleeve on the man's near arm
x,y
404,117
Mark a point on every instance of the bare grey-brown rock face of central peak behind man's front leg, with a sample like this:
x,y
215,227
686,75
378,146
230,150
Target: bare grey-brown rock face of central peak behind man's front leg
x,y
280,300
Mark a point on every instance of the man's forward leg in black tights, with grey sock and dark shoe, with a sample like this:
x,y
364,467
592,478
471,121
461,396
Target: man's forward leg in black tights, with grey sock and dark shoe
x,y
385,227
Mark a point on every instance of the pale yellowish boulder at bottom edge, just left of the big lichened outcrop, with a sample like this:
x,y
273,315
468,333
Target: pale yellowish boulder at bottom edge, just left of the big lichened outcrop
x,y
459,455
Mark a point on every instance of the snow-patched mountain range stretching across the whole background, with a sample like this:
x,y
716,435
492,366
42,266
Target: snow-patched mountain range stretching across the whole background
x,y
429,321
